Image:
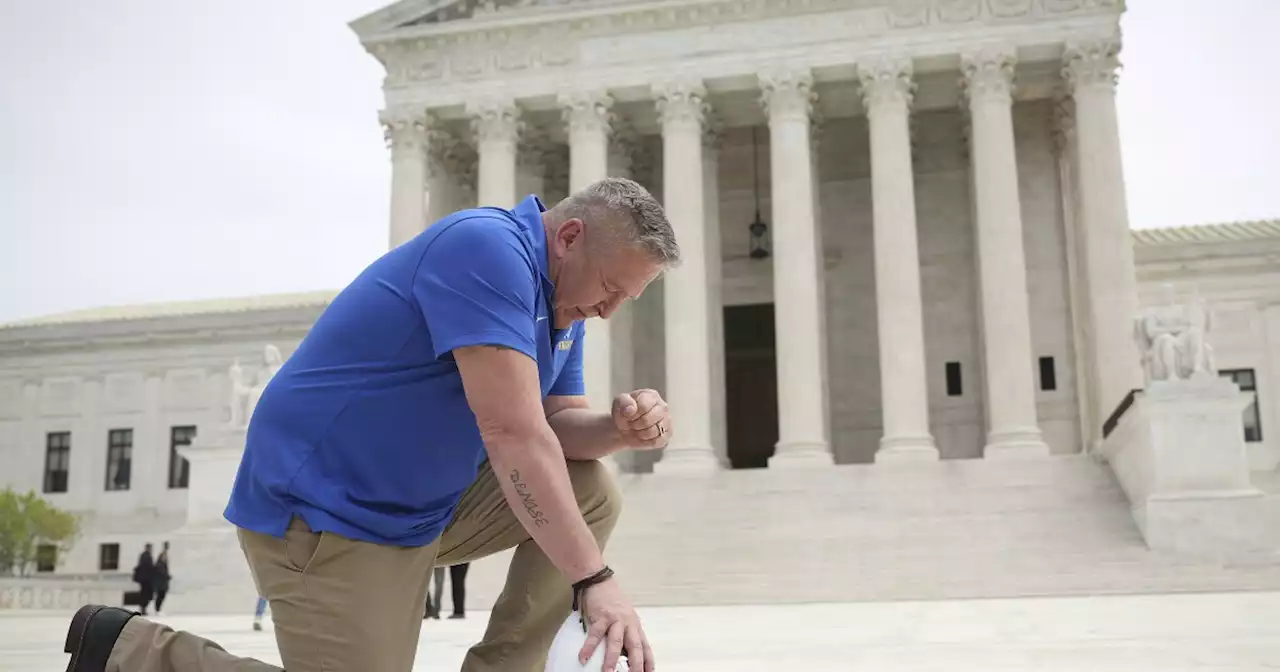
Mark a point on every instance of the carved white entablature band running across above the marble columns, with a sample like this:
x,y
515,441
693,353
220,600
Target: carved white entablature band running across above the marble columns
x,y
628,45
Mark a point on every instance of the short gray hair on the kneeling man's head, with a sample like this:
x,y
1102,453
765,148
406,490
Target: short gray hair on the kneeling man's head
x,y
632,214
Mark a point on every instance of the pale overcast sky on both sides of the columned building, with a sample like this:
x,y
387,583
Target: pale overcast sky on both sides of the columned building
x,y
159,150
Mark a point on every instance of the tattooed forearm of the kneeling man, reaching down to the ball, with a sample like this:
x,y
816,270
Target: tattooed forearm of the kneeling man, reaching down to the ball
x,y
536,483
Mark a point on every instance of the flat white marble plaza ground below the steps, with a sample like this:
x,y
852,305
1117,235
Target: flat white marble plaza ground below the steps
x,y
1210,633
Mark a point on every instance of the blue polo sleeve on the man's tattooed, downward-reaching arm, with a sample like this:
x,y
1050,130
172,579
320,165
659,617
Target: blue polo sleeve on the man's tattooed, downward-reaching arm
x,y
477,286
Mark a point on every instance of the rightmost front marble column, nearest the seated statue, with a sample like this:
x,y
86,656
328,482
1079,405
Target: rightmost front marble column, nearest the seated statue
x,y
1091,76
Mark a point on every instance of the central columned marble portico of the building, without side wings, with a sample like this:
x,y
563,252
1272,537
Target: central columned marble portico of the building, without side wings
x,y
944,266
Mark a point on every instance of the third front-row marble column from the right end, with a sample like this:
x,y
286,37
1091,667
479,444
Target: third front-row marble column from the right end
x,y
888,92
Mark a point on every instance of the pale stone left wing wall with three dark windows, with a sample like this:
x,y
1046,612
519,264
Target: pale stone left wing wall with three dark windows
x,y
148,387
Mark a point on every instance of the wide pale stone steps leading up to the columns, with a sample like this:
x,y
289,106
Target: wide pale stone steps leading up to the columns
x,y
953,529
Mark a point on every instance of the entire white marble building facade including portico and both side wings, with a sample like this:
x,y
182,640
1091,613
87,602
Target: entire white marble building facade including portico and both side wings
x,y
947,268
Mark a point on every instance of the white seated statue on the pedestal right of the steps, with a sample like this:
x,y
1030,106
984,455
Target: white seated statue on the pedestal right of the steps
x,y
1173,340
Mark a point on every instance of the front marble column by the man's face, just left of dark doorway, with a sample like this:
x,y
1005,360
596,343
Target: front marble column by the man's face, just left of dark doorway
x,y
682,109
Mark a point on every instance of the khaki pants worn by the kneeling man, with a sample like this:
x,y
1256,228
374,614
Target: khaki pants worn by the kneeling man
x,y
340,605
